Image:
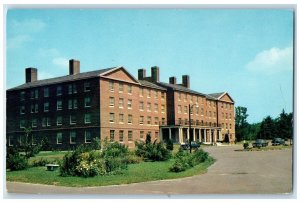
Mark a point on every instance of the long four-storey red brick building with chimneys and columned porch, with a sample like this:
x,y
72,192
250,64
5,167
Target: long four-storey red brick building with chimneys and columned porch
x,y
73,109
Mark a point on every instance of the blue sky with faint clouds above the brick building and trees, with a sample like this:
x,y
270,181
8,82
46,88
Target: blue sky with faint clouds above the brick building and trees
x,y
248,53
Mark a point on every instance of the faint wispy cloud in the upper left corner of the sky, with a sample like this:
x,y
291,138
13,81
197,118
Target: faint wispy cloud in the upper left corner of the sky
x,y
27,26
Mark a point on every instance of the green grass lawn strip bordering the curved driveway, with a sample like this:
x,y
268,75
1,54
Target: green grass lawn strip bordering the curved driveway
x,y
145,171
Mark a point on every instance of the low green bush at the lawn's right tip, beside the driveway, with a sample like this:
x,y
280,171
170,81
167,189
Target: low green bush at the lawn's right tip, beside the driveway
x,y
185,160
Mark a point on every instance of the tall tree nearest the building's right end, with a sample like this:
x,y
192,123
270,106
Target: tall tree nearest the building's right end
x,y
241,124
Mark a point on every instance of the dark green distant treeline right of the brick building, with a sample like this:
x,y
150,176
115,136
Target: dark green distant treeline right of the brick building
x,y
268,128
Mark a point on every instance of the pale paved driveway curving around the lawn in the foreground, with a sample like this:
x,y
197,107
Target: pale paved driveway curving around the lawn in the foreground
x,y
263,172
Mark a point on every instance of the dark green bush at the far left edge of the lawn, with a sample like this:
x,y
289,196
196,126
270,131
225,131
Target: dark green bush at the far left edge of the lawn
x,y
15,161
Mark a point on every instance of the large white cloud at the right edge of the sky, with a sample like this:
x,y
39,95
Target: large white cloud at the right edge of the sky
x,y
273,60
